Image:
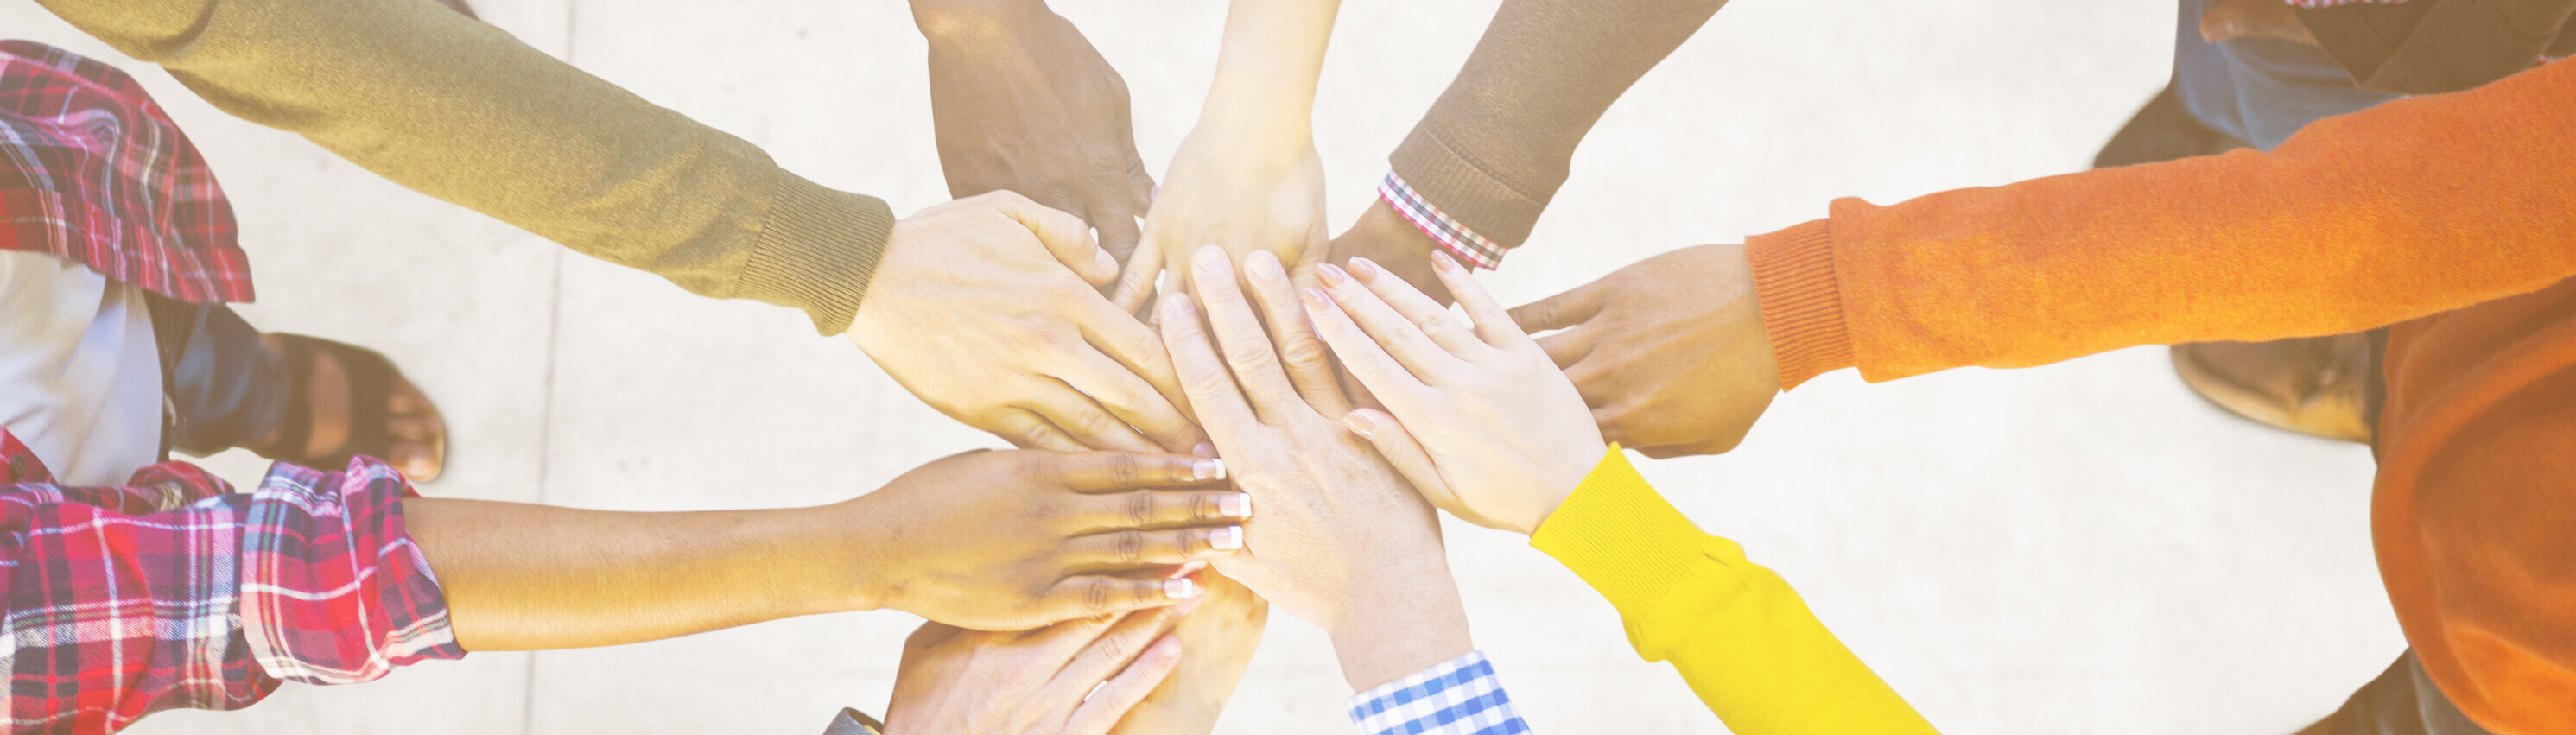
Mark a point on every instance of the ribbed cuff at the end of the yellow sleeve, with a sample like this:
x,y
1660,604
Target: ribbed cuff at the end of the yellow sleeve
x,y
1622,538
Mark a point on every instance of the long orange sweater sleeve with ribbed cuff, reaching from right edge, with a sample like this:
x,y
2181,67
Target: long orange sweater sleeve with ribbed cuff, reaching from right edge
x,y
2363,220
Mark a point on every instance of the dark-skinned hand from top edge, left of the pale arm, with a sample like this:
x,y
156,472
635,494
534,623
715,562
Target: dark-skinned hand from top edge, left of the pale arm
x,y
1021,102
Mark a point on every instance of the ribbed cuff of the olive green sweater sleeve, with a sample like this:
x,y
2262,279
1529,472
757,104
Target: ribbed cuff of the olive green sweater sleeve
x,y
818,251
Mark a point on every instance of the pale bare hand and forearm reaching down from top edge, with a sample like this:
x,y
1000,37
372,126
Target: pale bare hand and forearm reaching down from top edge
x,y
1248,177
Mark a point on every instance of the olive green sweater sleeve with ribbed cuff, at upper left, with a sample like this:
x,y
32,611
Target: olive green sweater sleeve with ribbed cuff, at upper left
x,y
465,112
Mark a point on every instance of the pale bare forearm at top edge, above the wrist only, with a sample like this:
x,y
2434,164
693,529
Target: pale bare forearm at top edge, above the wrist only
x,y
1266,71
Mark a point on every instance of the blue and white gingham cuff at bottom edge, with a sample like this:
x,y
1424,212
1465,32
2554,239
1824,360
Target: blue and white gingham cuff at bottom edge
x,y
1457,698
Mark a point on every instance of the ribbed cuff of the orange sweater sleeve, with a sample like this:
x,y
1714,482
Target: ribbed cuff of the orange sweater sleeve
x,y
1802,303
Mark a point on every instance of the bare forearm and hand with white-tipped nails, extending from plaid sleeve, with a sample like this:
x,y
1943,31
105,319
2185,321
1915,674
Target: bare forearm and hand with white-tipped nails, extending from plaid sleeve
x,y
990,540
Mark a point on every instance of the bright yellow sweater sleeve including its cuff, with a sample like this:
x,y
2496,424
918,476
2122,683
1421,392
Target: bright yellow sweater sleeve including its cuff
x,y
1735,631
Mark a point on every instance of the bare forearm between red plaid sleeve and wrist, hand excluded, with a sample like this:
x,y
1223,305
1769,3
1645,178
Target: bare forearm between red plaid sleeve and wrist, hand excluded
x,y
537,579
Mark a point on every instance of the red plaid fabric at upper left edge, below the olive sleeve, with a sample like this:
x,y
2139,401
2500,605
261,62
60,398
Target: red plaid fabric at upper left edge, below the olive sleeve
x,y
91,169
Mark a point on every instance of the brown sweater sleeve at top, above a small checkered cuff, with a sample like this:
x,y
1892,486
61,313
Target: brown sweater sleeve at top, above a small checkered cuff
x,y
1501,141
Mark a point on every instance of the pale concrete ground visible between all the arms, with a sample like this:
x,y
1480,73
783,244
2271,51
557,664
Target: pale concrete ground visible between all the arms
x,y
2080,548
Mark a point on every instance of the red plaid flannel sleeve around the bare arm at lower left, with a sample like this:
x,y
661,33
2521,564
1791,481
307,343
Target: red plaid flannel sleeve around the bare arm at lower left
x,y
176,592
